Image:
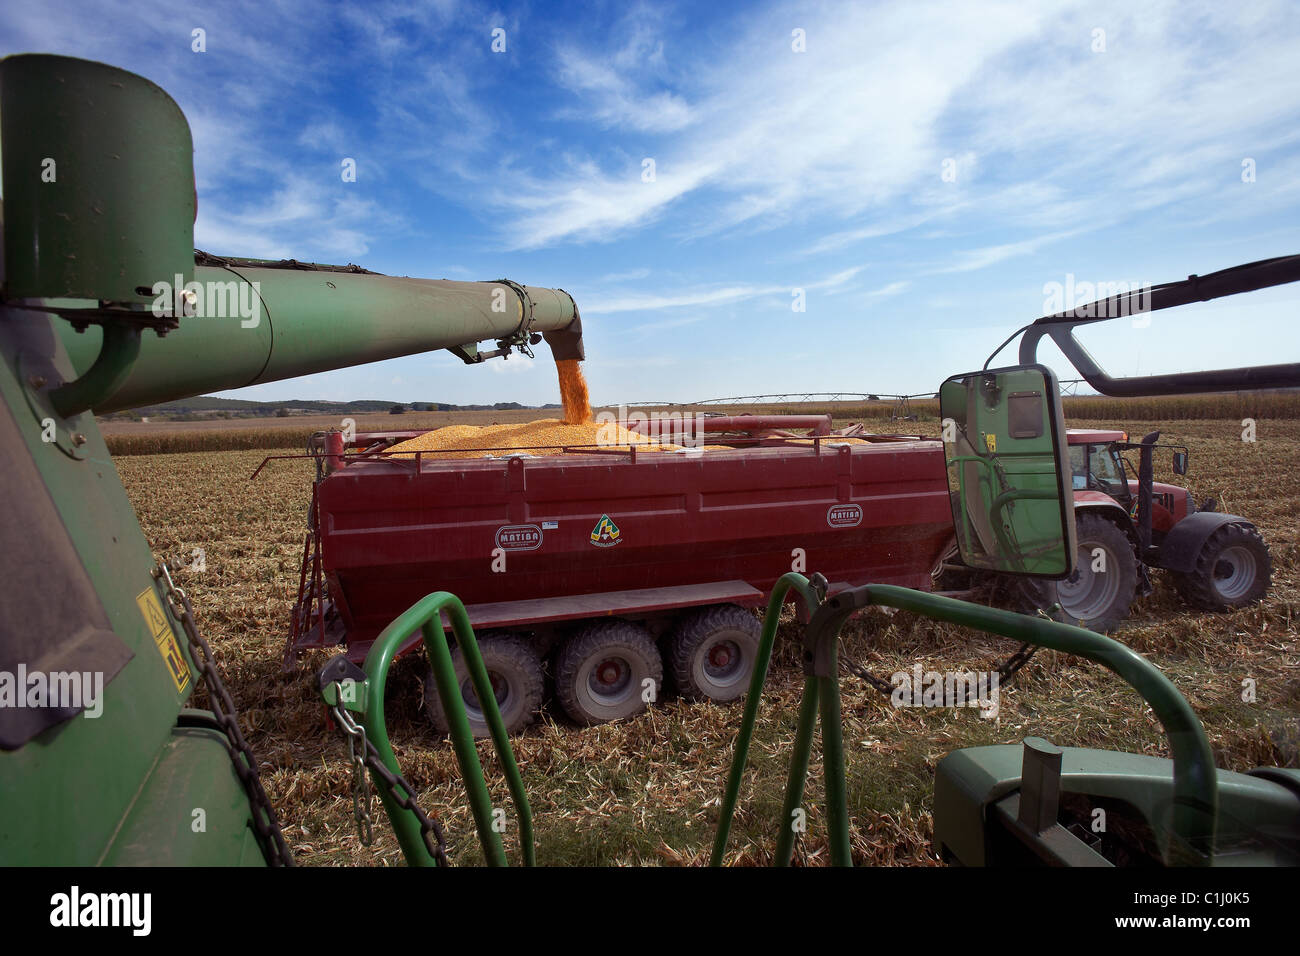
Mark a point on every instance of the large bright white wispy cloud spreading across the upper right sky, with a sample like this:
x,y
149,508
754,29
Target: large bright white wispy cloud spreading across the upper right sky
x,y
1041,129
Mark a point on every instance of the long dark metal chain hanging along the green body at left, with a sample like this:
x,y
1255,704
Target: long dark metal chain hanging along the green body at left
x,y
224,710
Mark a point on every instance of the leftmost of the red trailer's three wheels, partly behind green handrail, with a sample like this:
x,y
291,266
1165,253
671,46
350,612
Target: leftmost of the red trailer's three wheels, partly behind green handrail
x,y
515,671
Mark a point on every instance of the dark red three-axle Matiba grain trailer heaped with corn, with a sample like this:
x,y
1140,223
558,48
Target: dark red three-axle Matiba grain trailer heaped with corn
x,y
618,566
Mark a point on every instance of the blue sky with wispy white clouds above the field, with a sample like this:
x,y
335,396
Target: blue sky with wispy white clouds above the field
x,y
920,170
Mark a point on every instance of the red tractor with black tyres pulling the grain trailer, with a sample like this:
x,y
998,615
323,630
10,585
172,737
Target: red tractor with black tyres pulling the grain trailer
x,y
1129,524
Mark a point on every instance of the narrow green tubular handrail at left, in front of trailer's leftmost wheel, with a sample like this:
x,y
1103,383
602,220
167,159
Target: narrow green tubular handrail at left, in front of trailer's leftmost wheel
x,y
426,616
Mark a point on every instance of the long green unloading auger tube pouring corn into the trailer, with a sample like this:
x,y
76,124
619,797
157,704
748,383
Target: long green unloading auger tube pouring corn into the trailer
x,y
309,322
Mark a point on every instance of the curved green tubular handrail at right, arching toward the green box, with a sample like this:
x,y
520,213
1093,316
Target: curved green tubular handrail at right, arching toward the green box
x,y
1195,781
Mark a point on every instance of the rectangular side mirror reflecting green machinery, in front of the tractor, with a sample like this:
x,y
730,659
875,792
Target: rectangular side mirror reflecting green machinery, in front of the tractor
x,y
1008,475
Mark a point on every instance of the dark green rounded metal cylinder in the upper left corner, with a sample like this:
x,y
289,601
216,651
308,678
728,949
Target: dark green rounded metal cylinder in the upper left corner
x,y
98,181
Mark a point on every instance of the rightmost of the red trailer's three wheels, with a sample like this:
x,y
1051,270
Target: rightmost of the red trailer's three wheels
x,y
713,651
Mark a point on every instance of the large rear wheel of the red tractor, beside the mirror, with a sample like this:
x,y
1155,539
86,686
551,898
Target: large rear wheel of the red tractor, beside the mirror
x,y
1103,586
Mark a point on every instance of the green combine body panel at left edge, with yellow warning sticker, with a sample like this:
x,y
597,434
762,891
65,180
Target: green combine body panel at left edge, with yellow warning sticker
x,y
70,790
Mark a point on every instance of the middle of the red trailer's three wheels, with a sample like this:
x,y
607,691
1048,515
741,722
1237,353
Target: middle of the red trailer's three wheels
x,y
603,673
